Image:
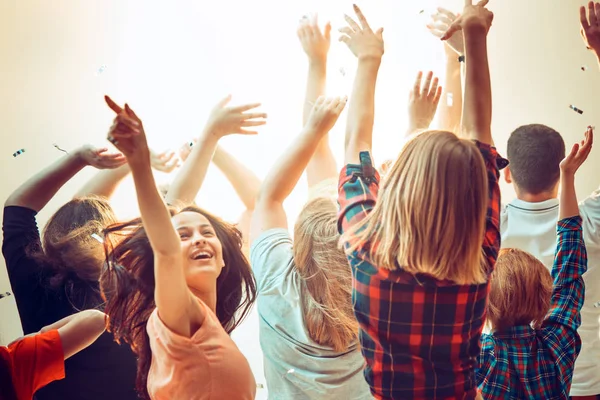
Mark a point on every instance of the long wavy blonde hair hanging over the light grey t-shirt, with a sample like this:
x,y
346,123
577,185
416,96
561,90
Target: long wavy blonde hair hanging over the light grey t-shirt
x,y
326,276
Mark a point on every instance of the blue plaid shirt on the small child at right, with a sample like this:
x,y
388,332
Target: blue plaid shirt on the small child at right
x,y
524,363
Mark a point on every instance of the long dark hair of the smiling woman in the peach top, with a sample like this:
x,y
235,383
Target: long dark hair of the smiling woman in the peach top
x,y
127,285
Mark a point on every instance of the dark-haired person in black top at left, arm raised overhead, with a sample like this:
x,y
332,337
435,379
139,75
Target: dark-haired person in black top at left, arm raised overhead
x,y
57,275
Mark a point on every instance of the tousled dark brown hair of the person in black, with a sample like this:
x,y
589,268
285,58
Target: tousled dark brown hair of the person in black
x,y
72,257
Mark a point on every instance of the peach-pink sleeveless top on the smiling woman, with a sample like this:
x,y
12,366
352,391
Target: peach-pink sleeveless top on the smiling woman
x,y
207,366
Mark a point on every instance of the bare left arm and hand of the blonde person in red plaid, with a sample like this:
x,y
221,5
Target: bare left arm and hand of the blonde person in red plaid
x,y
368,48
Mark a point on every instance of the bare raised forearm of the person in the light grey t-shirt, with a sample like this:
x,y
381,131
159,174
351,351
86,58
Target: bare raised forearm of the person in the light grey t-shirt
x,y
285,174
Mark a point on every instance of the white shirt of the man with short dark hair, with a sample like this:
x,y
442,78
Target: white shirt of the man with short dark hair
x,y
532,227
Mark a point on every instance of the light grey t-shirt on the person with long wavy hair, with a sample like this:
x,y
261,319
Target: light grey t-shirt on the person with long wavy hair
x,y
295,366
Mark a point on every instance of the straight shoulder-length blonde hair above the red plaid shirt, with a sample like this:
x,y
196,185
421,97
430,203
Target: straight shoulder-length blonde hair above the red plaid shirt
x,y
430,214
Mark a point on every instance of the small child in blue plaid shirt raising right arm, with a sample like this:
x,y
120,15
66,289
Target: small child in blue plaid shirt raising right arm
x,y
534,317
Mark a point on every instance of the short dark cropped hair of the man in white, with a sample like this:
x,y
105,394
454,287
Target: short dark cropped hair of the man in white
x,y
535,152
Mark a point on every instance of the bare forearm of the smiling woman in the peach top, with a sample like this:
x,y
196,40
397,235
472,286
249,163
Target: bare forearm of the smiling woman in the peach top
x,y
155,215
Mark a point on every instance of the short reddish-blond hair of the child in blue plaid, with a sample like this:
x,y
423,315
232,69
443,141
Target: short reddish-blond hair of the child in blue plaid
x,y
520,292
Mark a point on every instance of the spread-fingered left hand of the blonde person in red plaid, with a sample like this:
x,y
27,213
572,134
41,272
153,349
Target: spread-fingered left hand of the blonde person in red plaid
x,y
362,41
